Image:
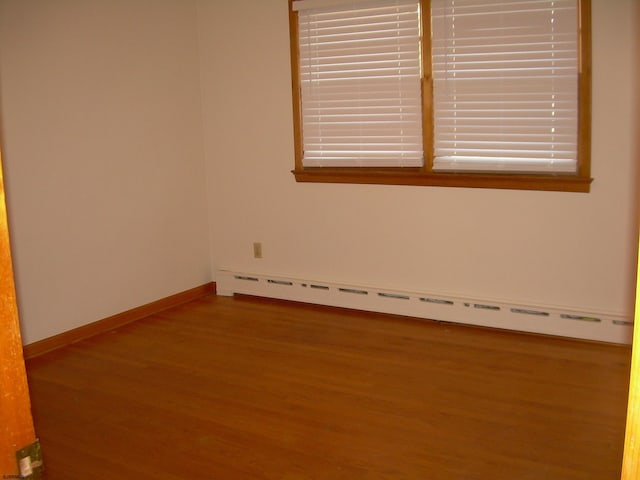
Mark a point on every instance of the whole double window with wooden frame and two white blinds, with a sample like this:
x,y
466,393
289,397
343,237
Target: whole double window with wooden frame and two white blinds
x,y
470,93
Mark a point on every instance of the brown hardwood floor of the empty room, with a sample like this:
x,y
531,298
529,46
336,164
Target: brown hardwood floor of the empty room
x,y
240,388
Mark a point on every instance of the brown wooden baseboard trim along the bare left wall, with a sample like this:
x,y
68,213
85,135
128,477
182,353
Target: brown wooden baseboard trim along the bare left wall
x,y
101,326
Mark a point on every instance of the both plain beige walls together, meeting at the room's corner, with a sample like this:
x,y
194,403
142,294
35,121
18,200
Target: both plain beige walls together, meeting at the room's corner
x,y
101,123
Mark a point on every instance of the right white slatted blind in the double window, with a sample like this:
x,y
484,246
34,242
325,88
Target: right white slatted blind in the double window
x,y
505,85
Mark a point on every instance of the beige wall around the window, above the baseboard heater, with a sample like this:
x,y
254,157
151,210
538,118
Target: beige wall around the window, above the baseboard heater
x,y
546,248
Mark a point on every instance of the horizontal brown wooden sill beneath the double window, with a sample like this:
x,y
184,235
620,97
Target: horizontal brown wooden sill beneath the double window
x,y
415,176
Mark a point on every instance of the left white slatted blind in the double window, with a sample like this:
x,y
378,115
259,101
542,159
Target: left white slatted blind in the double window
x,y
361,102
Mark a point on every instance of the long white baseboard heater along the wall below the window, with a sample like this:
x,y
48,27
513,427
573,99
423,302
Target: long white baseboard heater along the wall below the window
x,y
559,321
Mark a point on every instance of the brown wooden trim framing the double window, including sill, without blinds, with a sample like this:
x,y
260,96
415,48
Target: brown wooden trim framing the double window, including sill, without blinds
x,y
425,176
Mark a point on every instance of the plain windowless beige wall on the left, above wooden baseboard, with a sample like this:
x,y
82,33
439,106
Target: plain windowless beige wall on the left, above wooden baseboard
x,y
102,146
